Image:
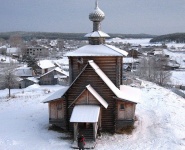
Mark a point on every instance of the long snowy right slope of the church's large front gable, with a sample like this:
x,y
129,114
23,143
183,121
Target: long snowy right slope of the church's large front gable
x,y
109,83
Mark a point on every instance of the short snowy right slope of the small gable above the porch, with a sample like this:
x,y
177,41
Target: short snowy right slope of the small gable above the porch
x,y
97,96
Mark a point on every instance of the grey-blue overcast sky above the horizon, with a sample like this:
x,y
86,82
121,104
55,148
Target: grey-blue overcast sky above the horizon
x,y
122,16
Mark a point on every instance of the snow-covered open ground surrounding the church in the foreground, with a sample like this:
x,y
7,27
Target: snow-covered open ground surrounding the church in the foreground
x,y
24,122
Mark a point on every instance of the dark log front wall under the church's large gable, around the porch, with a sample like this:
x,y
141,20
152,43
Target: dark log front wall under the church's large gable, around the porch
x,y
90,77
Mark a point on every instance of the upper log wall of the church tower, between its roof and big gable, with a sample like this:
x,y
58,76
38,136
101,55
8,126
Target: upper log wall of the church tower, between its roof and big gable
x,y
110,65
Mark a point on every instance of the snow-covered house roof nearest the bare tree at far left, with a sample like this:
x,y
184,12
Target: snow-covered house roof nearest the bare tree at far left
x,y
23,71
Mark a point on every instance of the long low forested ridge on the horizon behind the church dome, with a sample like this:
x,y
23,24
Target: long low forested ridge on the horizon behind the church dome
x,y
68,36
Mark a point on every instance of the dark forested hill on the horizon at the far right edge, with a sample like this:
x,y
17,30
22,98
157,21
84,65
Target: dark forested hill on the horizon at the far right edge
x,y
176,37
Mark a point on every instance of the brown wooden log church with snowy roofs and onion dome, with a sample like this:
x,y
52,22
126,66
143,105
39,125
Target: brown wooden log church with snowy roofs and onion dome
x,y
96,100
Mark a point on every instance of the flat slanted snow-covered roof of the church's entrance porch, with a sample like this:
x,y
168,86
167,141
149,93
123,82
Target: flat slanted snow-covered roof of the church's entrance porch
x,y
85,113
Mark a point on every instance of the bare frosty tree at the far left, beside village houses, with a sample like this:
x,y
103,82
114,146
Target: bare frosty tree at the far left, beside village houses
x,y
8,78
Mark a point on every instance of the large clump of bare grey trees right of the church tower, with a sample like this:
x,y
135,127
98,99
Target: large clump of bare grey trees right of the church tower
x,y
153,69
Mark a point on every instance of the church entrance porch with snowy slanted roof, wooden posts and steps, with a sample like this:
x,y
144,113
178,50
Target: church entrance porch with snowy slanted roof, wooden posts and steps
x,y
86,120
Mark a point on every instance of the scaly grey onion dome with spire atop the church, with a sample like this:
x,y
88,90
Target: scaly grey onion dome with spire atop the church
x,y
97,15
